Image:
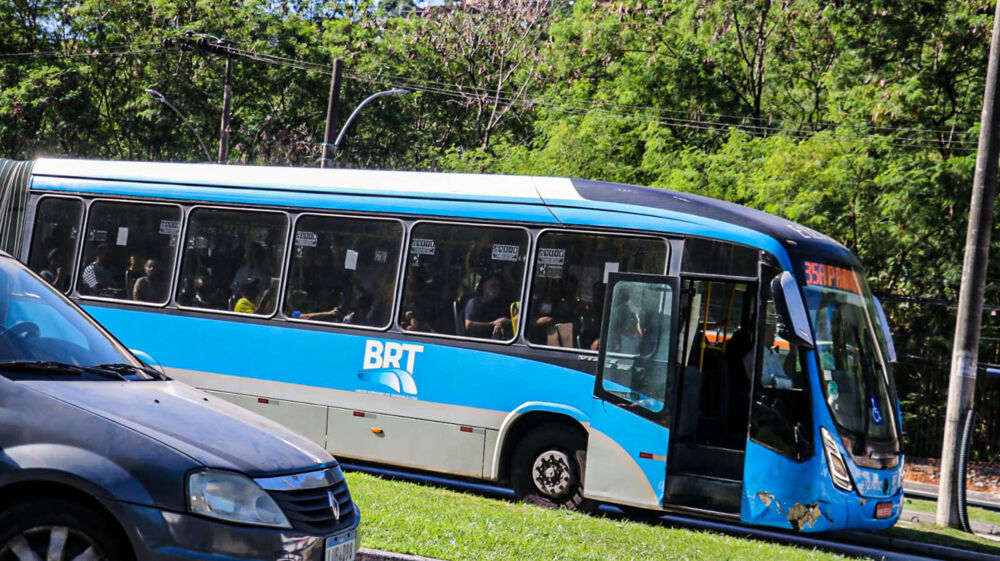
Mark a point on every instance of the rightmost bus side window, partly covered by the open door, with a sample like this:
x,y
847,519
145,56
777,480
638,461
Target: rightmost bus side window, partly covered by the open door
x,y
570,280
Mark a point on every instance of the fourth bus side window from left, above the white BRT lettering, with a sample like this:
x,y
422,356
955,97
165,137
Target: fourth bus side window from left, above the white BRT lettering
x,y
343,270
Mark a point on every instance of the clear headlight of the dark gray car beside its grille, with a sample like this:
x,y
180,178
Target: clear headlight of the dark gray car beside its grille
x,y
233,497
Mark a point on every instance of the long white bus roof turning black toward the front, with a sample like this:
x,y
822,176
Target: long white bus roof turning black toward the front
x,y
553,192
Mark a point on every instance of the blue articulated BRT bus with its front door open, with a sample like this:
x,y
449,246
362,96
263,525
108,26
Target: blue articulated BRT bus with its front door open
x,y
579,341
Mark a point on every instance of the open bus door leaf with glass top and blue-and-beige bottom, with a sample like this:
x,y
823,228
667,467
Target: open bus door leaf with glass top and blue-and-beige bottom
x,y
626,456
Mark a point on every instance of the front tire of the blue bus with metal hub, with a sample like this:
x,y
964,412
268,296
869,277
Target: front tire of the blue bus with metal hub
x,y
547,468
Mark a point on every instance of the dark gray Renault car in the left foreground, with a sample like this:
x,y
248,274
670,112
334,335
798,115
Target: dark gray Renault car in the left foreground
x,y
102,457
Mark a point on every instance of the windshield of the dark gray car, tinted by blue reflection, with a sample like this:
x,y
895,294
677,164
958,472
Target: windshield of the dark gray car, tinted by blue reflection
x,y
40,330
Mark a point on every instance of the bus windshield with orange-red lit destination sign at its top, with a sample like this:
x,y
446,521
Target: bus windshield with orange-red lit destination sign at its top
x,y
856,379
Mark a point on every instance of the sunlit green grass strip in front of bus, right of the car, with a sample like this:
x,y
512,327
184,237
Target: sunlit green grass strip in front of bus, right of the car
x,y
421,520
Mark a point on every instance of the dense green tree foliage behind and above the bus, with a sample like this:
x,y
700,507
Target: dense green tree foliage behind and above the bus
x,y
857,119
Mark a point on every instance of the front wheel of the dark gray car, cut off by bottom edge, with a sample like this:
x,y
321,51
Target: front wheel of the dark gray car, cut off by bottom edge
x,y
32,527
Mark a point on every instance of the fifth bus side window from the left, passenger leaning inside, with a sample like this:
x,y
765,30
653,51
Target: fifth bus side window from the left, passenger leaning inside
x,y
464,280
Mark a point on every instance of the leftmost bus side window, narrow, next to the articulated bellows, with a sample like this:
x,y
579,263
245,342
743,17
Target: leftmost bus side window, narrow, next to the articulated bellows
x,y
53,240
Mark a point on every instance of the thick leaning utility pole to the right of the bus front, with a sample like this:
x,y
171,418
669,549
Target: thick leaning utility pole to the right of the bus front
x,y
965,355
